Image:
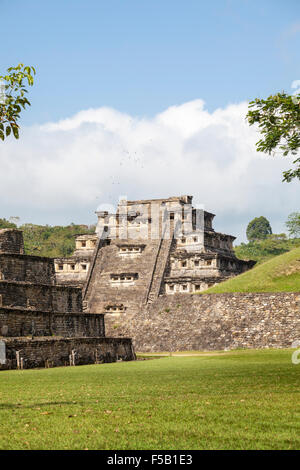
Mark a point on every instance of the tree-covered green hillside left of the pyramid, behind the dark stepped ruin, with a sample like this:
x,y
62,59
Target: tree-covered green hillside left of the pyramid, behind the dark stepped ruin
x,y
44,240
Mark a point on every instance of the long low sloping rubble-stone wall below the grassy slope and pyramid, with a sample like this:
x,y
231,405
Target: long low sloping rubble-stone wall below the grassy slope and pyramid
x,y
212,322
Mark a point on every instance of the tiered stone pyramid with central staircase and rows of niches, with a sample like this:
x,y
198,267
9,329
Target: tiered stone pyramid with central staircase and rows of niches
x,y
147,249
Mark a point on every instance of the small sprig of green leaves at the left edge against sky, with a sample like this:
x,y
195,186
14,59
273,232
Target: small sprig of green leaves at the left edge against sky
x,y
13,99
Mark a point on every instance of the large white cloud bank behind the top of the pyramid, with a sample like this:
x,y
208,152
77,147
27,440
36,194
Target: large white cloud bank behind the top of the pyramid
x,y
62,171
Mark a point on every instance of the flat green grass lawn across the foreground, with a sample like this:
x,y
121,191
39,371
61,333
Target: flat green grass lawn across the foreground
x,y
242,399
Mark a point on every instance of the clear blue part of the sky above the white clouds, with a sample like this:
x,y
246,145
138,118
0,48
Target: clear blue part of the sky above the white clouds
x,y
142,56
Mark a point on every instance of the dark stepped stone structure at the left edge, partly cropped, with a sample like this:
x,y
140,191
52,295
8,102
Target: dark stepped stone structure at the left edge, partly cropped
x,y
42,324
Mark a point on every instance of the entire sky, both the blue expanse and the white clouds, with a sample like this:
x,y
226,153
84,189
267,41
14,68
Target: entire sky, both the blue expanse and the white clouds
x,y
128,77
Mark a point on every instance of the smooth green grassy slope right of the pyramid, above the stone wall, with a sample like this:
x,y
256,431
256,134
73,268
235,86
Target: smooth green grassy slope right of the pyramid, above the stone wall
x,y
279,274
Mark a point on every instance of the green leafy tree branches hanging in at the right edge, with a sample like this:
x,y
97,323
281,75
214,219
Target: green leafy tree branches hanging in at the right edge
x,y
278,119
